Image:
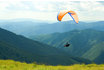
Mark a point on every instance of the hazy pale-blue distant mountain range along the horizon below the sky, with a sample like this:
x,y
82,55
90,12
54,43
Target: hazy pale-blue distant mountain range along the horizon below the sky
x,y
31,28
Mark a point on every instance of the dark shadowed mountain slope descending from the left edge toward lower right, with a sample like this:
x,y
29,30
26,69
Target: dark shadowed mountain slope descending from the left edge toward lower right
x,y
19,48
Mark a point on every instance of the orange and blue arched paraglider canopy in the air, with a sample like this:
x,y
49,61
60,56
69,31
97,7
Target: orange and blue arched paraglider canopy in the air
x,y
71,13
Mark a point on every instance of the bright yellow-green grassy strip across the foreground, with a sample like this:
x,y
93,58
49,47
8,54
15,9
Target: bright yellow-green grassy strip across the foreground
x,y
13,65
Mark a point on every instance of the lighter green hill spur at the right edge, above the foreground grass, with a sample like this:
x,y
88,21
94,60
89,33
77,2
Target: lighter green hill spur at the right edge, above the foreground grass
x,y
96,53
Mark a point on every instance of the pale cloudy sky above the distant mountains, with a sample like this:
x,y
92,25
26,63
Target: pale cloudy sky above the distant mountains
x,y
47,10
